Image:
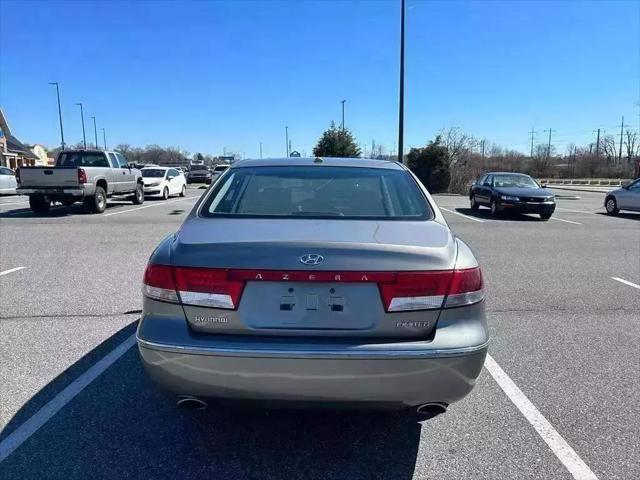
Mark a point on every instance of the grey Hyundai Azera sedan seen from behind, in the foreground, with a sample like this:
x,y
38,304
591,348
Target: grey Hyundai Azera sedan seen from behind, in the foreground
x,y
330,281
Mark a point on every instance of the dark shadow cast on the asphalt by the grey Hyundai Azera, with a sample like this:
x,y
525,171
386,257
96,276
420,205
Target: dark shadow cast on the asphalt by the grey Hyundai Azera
x,y
122,426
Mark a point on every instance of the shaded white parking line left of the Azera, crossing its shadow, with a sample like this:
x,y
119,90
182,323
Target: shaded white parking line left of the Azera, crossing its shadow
x,y
53,406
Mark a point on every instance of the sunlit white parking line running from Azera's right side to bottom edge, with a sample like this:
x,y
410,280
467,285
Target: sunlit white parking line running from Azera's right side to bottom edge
x,y
556,443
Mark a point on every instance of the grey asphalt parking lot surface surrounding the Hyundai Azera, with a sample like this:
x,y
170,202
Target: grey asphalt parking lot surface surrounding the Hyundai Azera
x,y
74,401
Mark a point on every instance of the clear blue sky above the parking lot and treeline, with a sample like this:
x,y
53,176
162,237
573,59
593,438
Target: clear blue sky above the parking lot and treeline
x,y
211,75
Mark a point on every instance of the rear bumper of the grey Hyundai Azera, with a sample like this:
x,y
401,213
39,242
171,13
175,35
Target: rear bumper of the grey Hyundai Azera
x,y
384,374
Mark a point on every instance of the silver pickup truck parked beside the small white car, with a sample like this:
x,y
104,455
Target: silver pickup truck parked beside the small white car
x,y
89,176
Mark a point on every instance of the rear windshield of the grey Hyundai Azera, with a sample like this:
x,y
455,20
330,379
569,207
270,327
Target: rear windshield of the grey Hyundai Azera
x,y
317,192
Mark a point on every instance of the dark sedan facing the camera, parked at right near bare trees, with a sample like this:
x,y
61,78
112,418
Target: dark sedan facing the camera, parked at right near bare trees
x,y
511,192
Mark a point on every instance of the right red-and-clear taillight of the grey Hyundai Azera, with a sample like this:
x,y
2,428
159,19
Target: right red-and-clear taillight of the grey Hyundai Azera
x,y
432,290
